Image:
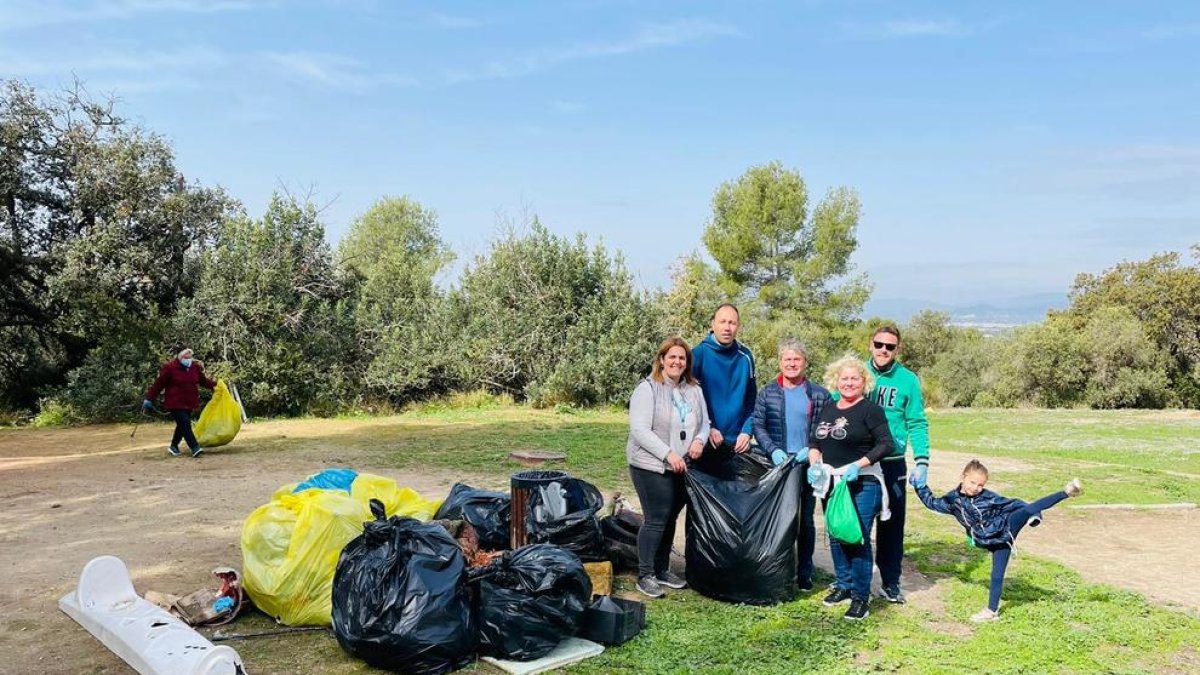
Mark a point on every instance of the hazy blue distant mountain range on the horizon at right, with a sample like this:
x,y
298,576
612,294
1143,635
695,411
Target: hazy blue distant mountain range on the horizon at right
x,y
991,318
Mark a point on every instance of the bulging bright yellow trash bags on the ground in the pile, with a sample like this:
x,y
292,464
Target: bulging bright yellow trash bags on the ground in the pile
x,y
291,546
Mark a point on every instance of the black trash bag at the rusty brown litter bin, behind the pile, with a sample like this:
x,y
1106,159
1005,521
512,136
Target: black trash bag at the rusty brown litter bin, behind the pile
x,y
579,531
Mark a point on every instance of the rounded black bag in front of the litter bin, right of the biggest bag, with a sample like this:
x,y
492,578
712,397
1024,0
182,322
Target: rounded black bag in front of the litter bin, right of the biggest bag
x,y
531,600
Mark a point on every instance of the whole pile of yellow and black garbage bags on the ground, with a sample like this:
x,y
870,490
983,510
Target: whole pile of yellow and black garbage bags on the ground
x,y
358,552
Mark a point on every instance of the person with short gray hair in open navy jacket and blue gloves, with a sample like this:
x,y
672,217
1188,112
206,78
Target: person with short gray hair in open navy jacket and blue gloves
x,y
783,420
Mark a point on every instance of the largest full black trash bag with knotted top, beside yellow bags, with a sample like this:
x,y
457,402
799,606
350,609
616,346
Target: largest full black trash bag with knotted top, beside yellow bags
x,y
401,600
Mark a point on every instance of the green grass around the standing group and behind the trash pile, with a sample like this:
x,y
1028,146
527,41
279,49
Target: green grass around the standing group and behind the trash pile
x,y
1054,620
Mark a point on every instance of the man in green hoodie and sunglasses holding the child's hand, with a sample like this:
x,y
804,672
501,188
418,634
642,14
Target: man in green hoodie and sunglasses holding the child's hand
x,y
898,392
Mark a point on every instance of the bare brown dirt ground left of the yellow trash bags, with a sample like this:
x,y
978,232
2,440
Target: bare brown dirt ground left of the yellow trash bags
x,y
71,495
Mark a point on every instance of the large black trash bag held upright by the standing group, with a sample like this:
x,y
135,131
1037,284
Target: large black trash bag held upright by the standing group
x,y
742,536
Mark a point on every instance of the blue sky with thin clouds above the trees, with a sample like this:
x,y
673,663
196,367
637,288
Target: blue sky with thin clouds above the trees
x,y
999,150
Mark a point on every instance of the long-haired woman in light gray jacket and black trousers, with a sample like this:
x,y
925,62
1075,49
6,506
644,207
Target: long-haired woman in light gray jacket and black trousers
x,y
668,420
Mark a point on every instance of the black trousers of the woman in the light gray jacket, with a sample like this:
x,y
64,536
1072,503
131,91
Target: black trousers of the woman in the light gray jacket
x,y
663,497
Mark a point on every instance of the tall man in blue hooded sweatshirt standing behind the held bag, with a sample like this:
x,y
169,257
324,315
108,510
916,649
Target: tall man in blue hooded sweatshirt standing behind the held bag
x,y
727,374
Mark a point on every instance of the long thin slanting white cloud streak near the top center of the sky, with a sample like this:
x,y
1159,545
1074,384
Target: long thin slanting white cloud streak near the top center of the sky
x,y
649,38
